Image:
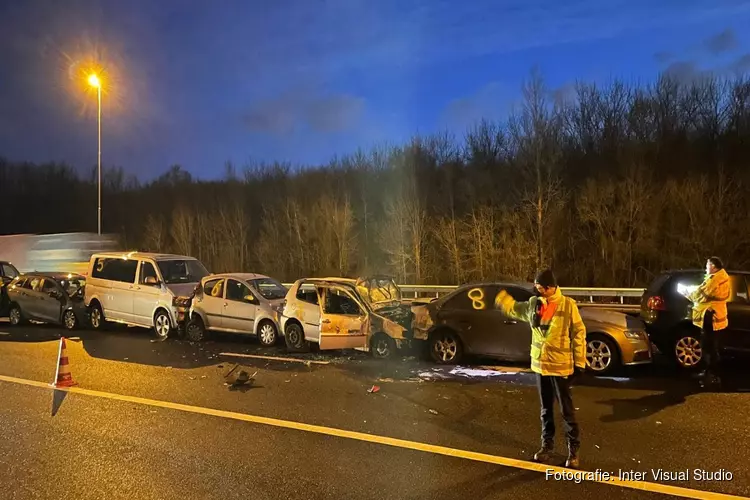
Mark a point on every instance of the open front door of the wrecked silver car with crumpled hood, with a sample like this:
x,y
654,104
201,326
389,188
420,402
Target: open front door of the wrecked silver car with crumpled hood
x,y
343,321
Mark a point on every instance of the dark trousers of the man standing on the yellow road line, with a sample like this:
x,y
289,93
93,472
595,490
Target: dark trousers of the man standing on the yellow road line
x,y
551,387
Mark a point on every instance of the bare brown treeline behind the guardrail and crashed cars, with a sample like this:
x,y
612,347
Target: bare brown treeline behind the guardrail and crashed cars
x,y
608,186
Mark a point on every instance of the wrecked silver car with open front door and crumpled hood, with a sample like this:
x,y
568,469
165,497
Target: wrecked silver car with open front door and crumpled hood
x,y
340,313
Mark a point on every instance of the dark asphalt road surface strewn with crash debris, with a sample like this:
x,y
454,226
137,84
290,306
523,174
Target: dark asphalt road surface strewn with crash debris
x,y
119,434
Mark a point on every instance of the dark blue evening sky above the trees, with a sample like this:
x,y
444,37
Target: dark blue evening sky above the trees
x,y
199,82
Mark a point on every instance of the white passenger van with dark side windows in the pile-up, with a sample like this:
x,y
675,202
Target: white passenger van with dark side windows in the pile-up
x,y
141,289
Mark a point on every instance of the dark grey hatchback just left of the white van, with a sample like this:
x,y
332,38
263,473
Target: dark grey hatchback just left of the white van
x,y
48,298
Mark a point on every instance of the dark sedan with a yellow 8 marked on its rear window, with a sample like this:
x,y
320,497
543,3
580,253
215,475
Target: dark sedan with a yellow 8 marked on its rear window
x,y
466,322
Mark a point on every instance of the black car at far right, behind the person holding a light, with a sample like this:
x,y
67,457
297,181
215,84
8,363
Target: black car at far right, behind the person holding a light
x,y
667,315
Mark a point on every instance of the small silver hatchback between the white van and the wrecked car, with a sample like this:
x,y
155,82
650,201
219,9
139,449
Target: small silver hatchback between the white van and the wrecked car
x,y
237,303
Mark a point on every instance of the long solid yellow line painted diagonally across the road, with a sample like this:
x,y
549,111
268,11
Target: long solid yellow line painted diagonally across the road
x,y
387,441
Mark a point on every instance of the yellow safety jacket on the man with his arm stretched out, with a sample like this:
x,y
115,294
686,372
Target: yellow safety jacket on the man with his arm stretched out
x,y
558,344
